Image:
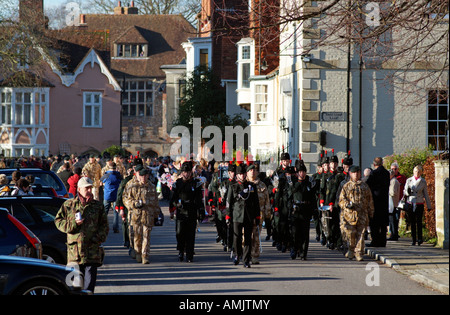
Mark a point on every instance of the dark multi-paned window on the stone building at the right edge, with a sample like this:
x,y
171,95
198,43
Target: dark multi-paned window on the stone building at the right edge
x,y
438,109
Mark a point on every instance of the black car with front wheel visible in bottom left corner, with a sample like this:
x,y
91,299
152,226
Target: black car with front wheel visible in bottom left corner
x,y
28,276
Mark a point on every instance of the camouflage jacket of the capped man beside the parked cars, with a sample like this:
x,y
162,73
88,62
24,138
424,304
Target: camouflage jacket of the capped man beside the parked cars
x,y
83,241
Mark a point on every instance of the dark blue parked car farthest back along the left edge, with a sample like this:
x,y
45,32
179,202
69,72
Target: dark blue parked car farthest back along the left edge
x,y
41,177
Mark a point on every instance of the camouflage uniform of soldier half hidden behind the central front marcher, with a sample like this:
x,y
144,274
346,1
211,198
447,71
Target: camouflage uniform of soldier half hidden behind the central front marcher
x,y
265,212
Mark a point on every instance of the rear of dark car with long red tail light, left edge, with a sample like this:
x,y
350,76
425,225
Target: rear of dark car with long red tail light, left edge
x,y
16,239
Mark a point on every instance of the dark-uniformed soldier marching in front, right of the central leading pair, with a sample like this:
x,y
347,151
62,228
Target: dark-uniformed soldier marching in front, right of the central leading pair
x,y
301,212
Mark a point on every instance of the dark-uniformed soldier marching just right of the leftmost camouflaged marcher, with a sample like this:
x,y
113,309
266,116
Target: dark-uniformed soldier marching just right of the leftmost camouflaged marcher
x,y
187,203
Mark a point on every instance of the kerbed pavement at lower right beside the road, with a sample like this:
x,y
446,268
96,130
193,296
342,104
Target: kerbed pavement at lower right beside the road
x,y
425,264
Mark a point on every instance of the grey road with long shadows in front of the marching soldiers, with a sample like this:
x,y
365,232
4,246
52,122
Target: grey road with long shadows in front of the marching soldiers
x,y
212,272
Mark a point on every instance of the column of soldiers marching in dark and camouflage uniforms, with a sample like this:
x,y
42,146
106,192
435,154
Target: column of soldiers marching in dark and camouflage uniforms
x,y
335,198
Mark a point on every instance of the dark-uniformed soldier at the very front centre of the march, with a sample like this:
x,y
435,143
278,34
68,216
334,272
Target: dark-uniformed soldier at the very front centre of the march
x,y
243,204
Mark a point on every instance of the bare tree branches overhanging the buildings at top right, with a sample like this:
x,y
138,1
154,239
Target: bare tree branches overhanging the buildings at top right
x,y
404,37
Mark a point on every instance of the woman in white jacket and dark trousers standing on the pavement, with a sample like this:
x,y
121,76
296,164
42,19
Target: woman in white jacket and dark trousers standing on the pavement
x,y
416,192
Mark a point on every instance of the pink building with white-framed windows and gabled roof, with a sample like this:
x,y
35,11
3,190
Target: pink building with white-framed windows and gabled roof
x,y
70,103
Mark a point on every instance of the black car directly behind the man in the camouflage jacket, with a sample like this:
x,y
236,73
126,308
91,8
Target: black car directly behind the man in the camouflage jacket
x,y
38,214
